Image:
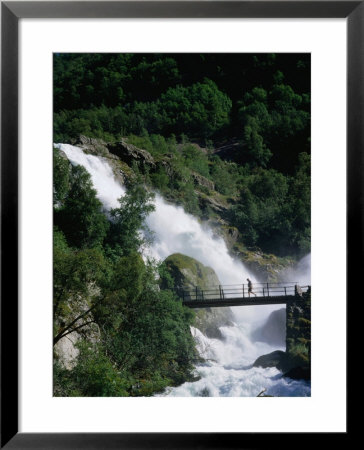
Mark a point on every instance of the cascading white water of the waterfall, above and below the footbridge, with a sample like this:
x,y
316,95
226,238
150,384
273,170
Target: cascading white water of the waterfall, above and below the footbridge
x,y
229,370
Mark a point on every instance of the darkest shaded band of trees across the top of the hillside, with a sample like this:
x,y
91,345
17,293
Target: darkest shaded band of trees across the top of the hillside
x,y
263,100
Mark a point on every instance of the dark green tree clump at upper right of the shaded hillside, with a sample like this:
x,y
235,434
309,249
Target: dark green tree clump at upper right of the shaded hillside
x,y
274,123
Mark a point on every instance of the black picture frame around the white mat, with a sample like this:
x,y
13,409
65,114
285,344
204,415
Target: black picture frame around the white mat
x,y
11,12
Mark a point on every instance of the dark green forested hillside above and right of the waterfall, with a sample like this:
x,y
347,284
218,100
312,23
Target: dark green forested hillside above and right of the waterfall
x,y
251,113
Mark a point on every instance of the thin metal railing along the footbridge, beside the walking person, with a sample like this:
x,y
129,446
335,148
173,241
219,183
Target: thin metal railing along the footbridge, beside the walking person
x,y
238,291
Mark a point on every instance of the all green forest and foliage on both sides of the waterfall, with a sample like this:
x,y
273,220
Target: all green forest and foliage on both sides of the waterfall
x,y
238,122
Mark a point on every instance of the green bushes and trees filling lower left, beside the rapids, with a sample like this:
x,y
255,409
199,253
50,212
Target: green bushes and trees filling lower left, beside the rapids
x,y
145,342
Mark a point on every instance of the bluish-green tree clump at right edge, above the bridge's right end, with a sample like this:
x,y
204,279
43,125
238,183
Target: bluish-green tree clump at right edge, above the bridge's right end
x,y
271,215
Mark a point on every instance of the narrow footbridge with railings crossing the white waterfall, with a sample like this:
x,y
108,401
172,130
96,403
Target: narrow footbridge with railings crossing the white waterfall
x,y
239,295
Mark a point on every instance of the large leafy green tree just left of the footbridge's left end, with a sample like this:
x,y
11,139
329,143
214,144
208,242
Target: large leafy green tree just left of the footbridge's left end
x,y
149,333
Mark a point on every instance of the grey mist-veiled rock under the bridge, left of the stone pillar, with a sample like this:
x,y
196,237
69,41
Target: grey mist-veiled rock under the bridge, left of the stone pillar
x,y
274,330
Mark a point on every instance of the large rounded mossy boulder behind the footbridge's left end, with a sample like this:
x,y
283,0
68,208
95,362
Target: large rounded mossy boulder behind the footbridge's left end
x,y
187,273
